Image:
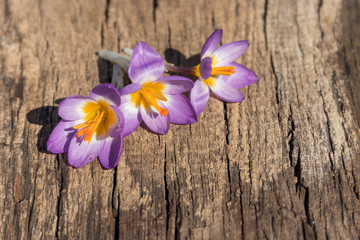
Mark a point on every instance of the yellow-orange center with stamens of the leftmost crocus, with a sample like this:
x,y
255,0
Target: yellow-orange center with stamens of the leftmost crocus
x,y
99,118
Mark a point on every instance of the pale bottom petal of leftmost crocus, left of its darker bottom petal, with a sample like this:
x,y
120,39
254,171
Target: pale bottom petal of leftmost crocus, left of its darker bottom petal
x,y
83,152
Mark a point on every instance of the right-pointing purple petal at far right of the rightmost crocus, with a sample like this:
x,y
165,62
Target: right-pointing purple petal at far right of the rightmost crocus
x,y
241,78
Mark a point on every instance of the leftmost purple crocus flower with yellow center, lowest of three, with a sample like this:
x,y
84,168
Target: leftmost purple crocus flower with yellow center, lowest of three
x,y
91,126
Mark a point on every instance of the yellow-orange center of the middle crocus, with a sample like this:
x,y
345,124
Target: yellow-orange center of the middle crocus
x,y
149,95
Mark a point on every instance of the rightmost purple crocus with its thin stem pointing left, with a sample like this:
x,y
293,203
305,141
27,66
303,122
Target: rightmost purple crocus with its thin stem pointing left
x,y
218,71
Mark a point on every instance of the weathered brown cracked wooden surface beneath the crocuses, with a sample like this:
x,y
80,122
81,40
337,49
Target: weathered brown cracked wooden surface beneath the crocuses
x,y
283,164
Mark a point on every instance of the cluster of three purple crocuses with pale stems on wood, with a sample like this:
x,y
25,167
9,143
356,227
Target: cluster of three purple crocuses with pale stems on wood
x,y
95,125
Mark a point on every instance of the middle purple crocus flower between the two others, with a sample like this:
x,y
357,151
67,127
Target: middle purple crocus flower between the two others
x,y
152,98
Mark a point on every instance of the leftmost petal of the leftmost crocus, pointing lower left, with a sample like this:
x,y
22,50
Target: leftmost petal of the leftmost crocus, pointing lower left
x,y
61,136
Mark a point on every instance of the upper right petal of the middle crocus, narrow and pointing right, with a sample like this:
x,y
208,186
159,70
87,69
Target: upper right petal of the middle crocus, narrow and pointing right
x,y
176,84
